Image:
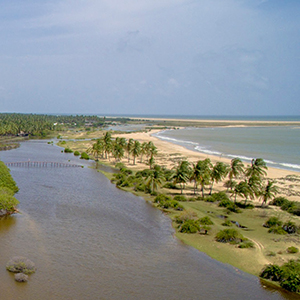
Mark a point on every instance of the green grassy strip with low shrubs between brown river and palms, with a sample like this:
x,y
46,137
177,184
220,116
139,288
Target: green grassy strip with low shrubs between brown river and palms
x,y
257,246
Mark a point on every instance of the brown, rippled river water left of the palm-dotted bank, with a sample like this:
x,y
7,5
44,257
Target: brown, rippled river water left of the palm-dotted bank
x,y
90,240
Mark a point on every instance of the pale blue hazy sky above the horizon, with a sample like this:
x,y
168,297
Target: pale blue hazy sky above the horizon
x,y
161,57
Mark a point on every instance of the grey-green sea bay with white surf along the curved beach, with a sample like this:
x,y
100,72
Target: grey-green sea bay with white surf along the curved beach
x,y
279,146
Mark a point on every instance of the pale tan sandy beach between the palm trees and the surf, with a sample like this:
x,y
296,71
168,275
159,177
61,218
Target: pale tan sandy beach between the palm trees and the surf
x,y
170,154
